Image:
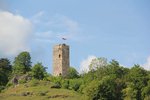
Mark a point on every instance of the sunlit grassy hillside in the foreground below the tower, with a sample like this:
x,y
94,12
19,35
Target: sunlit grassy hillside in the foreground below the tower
x,y
39,90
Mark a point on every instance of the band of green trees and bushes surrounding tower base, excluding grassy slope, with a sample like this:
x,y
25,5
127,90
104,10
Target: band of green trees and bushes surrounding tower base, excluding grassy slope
x,y
104,81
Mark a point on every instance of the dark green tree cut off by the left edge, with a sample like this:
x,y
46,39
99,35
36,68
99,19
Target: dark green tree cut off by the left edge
x,y
5,71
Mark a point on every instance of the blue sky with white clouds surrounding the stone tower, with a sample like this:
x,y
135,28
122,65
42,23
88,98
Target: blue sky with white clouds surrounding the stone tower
x,y
114,29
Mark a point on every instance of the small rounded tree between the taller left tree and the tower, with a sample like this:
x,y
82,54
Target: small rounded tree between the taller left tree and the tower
x,y
38,71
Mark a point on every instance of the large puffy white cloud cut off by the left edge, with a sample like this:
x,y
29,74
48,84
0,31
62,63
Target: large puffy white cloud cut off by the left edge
x,y
14,33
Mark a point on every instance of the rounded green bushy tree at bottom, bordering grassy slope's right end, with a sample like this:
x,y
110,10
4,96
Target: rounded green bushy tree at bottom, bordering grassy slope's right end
x,y
101,90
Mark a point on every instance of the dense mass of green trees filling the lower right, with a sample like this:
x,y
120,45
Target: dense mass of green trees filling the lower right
x,y
112,81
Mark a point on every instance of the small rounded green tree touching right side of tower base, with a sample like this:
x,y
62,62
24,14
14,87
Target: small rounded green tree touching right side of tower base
x,y
72,73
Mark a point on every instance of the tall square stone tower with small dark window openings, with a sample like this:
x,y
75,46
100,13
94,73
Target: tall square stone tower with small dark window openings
x,y
60,60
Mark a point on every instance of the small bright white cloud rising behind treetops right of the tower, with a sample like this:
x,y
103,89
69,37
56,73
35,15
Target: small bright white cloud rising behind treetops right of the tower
x,y
84,66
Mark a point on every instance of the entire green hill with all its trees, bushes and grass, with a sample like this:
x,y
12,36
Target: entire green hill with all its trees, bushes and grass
x,y
105,81
